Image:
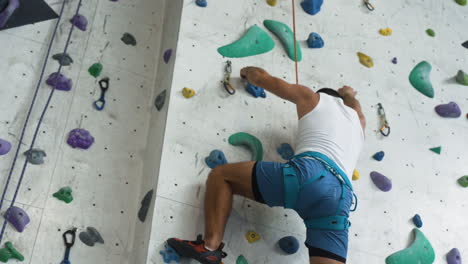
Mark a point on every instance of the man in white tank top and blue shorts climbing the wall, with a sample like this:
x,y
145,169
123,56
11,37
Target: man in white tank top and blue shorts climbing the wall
x,y
314,183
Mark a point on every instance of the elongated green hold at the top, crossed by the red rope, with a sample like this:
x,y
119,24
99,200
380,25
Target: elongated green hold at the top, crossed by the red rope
x,y
286,36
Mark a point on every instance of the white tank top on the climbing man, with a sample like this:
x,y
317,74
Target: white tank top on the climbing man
x,y
333,129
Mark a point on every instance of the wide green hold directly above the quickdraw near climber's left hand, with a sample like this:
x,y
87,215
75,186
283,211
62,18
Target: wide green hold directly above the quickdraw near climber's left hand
x,y
255,41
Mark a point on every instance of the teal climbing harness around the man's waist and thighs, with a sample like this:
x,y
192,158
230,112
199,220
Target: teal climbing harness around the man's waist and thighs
x,y
293,188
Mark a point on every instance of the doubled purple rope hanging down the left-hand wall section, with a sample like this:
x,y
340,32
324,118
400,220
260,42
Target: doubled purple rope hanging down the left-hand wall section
x,y
28,115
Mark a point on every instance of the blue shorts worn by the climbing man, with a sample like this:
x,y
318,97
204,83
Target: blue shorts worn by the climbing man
x,y
318,199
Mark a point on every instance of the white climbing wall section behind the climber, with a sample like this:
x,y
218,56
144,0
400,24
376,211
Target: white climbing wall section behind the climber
x,y
423,182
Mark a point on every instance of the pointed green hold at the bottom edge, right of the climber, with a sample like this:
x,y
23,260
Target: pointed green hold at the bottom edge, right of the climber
x,y
420,252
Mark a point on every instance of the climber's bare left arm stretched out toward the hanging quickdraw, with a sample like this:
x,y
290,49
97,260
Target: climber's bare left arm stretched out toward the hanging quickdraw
x,y
304,98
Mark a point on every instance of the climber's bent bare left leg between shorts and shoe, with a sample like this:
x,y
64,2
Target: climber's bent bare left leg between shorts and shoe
x,y
223,182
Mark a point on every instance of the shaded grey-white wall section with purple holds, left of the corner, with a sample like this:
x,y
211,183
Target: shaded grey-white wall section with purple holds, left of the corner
x,y
107,178
